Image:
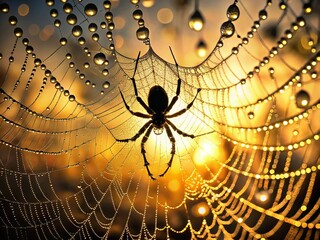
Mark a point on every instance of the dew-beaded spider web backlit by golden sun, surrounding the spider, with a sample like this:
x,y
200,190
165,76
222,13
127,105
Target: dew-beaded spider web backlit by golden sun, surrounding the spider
x,y
252,174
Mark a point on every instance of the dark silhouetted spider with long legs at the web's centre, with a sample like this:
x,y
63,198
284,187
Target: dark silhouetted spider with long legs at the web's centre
x,y
158,112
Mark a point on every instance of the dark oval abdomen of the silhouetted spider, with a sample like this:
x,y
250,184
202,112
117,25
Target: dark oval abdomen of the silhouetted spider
x,y
158,99
